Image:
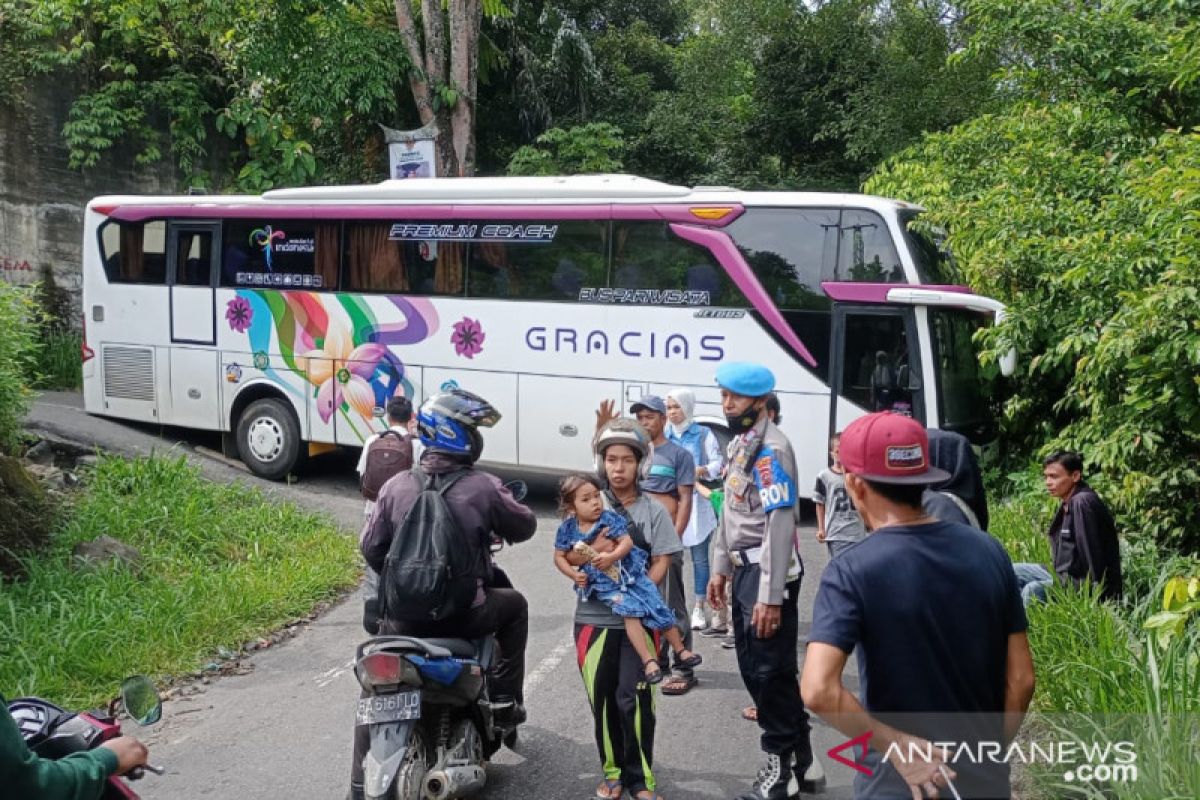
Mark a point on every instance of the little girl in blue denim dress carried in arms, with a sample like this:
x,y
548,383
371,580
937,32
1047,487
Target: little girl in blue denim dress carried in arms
x,y
616,575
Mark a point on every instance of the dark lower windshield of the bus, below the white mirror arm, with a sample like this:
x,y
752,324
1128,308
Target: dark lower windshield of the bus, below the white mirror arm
x,y
961,393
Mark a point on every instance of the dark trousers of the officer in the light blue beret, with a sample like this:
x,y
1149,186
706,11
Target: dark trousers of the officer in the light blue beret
x,y
769,667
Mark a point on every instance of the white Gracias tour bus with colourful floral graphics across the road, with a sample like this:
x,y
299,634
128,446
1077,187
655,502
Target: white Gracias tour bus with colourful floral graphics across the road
x,y
287,321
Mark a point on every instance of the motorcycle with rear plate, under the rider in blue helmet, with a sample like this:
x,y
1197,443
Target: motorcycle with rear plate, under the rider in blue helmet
x,y
429,707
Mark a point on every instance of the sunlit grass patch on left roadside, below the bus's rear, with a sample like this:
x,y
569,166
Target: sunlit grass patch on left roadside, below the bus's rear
x,y
220,566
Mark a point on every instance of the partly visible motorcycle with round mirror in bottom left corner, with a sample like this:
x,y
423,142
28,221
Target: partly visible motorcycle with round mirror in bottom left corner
x,y
52,732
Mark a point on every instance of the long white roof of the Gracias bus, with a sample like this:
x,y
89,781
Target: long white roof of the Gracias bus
x,y
524,191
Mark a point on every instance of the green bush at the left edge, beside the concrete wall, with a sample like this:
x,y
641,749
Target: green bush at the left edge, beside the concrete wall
x,y
20,321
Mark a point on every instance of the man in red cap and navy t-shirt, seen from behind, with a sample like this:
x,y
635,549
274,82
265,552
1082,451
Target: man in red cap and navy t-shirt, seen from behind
x,y
937,617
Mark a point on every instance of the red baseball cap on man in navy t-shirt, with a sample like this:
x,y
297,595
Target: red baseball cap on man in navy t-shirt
x,y
889,449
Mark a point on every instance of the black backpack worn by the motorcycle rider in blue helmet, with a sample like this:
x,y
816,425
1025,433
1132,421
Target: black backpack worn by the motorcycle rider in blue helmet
x,y
431,570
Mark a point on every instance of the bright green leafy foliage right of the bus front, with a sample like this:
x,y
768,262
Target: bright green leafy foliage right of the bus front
x,y
1078,208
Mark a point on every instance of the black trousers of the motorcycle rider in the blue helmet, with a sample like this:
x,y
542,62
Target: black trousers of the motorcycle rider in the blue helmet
x,y
505,613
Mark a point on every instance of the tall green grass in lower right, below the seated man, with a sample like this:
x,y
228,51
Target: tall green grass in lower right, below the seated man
x,y
1103,677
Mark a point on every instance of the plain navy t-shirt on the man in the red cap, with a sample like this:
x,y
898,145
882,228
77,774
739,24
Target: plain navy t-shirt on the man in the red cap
x,y
929,610
